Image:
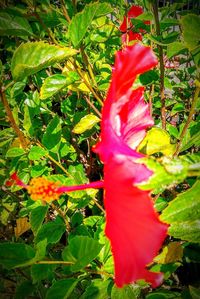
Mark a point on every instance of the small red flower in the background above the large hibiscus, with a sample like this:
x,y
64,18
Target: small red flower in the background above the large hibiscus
x,y
128,29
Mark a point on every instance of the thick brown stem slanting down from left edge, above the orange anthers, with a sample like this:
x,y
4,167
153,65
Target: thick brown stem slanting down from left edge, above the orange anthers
x,y
15,127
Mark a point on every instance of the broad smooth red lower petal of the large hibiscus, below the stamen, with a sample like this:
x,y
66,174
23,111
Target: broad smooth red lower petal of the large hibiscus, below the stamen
x,y
133,227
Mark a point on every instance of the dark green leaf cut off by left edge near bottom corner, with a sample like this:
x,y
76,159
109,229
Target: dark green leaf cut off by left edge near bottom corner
x,y
13,255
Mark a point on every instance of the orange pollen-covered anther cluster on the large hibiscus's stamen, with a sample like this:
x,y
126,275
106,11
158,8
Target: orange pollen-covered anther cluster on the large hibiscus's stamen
x,y
42,189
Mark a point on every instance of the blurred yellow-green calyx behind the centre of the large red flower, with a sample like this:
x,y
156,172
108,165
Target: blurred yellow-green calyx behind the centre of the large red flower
x,y
166,174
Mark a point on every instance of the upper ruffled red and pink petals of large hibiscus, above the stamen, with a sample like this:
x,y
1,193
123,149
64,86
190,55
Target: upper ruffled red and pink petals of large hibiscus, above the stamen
x,y
129,63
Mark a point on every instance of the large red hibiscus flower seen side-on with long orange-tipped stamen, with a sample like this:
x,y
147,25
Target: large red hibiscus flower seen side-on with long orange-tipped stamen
x,y
132,225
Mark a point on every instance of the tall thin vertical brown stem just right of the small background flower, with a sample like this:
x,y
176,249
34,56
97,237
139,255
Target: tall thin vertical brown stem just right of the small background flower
x,y
162,67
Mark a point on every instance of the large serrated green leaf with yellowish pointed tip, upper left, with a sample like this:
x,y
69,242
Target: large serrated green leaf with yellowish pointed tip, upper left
x,y
31,57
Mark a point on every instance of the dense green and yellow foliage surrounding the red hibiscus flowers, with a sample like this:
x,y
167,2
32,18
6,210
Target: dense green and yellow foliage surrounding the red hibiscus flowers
x,y
55,68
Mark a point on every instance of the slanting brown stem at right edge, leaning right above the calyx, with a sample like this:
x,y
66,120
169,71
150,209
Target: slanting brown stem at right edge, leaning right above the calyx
x,y
191,113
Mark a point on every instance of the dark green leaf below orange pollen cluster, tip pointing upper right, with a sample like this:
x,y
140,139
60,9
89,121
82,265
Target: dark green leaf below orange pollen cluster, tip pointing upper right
x,y
52,231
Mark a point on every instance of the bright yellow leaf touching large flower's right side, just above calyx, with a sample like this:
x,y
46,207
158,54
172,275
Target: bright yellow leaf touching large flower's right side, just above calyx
x,y
157,140
